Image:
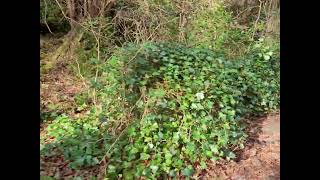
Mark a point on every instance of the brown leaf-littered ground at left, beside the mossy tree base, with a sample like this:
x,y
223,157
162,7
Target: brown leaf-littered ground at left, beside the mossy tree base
x,y
59,85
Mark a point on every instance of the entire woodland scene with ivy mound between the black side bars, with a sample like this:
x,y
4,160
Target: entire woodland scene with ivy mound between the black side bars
x,y
160,89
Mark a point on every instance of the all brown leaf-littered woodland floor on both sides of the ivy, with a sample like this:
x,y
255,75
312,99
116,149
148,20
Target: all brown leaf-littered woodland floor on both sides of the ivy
x,y
259,160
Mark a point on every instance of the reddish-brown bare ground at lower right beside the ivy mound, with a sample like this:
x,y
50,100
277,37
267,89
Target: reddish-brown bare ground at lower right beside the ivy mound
x,y
260,160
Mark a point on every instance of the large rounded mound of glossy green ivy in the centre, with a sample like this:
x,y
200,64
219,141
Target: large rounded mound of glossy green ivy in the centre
x,y
178,107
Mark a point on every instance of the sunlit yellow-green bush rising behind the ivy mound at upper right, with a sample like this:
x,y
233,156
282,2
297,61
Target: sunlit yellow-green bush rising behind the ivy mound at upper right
x,y
214,28
